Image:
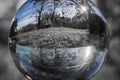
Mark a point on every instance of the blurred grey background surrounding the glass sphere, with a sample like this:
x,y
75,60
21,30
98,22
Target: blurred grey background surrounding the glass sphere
x,y
111,67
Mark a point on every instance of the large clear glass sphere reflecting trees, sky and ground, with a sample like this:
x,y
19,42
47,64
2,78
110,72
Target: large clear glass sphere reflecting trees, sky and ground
x,y
58,39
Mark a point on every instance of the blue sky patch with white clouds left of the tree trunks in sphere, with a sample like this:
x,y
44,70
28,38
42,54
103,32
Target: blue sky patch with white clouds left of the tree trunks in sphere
x,y
26,15
